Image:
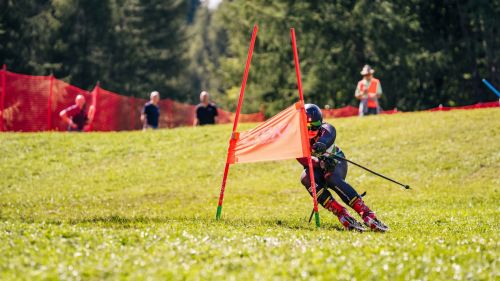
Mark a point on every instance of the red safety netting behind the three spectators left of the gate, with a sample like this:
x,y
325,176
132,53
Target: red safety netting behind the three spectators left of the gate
x,y
32,103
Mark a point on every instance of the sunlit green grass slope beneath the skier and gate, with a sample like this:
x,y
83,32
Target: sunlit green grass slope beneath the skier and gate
x,y
141,206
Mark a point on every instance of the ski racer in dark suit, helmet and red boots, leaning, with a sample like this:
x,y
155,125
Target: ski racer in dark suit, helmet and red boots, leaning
x,y
331,173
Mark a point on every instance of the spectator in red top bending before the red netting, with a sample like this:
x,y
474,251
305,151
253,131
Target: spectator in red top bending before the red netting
x,y
77,116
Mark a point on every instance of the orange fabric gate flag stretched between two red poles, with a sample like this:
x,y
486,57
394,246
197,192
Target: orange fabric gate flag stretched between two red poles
x,y
281,137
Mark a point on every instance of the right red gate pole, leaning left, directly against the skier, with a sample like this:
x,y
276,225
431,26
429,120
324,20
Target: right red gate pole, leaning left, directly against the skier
x,y
308,149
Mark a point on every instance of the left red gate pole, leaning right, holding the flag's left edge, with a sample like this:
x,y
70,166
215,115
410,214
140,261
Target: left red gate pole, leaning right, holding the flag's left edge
x,y
232,142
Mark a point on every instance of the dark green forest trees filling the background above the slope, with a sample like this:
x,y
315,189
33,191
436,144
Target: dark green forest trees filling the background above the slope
x,y
425,53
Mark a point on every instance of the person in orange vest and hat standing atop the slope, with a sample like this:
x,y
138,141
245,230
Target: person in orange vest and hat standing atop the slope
x,y
368,92
